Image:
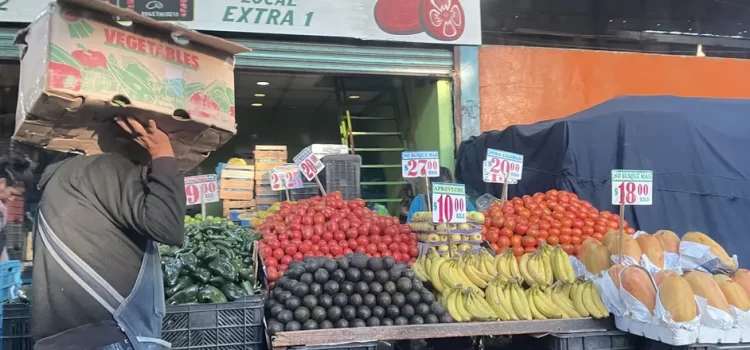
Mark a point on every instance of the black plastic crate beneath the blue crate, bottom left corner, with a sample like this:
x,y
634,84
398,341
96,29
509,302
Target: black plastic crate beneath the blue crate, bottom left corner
x,y
16,333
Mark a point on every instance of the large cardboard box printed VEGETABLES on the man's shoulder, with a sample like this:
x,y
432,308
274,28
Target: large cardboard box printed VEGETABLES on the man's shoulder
x,y
80,68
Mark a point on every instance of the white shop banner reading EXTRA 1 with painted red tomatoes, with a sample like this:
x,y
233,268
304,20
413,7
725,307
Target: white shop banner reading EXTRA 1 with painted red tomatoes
x,y
455,22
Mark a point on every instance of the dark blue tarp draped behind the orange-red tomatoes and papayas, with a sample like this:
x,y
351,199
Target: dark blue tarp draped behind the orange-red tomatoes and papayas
x,y
698,149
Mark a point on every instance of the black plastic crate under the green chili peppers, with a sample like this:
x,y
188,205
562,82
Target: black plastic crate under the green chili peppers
x,y
226,326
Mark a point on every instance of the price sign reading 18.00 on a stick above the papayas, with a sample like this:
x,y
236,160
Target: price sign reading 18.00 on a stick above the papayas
x,y
632,187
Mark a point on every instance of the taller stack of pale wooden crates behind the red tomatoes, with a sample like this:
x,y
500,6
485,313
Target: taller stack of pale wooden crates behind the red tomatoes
x,y
267,158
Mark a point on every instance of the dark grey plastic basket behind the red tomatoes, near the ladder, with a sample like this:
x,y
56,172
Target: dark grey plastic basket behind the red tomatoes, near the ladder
x,y
342,173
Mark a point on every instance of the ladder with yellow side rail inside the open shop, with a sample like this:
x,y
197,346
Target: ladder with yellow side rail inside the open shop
x,y
370,128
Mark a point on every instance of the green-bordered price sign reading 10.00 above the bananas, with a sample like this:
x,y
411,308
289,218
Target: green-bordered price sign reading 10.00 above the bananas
x,y
448,202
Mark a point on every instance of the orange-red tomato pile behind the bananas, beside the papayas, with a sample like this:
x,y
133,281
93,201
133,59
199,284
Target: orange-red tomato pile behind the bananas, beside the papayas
x,y
555,217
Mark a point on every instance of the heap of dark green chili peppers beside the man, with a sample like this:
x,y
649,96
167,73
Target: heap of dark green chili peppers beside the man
x,y
213,265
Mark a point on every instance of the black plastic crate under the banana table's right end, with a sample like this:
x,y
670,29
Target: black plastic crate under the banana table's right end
x,y
609,340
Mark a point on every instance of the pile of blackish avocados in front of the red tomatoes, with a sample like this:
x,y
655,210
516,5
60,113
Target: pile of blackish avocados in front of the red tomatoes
x,y
351,291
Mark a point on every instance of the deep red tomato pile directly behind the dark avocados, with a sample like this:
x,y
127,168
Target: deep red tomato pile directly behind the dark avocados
x,y
332,227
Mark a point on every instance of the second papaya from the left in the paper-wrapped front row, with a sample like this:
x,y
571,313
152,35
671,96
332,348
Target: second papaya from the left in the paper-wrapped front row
x,y
676,296
